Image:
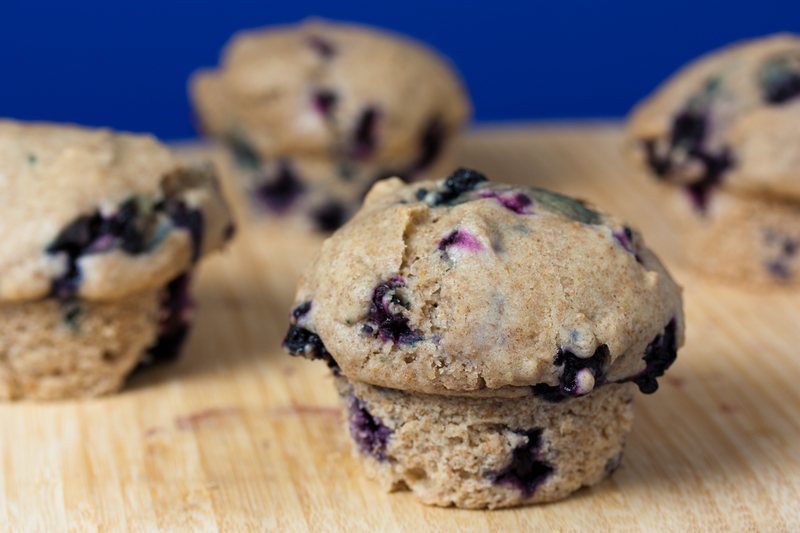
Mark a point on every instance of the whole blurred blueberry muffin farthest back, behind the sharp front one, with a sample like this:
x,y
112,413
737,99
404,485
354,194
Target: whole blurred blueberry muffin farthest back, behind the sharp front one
x,y
336,107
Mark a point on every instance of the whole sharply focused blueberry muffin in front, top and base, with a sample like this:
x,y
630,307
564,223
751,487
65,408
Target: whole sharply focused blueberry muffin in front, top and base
x,y
486,339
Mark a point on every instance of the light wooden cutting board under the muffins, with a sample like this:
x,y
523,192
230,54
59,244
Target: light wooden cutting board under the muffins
x,y
239,437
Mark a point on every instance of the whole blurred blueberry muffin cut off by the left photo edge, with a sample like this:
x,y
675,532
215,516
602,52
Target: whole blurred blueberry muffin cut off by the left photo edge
x,y
101,232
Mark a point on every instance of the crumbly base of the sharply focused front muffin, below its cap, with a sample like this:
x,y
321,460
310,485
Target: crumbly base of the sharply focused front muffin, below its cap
x,y
486,452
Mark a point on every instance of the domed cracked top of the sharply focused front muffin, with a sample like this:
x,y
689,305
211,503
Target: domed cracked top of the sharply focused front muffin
x,y
465,286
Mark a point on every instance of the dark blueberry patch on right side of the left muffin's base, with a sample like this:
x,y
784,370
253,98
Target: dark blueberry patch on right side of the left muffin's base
x,y
174,323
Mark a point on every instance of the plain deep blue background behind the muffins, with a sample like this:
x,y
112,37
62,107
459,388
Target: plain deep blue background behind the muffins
x,y
125,64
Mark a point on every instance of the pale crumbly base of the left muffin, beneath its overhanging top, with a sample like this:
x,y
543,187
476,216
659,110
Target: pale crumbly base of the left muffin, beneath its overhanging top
x,y
50,349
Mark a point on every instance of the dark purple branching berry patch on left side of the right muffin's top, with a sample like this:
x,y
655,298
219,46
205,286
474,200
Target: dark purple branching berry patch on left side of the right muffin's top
x,y
687,142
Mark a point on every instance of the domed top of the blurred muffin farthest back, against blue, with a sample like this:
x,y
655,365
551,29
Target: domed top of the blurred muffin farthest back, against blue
x,y
321,88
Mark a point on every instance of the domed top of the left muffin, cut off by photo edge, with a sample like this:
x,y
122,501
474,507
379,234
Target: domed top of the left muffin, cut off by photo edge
x,y
97,215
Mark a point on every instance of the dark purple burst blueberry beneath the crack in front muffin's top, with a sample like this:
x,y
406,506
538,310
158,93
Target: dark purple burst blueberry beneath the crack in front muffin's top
x,y
386,316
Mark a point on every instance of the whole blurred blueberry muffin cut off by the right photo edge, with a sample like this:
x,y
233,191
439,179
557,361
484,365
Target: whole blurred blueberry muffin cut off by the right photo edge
x,y
722,136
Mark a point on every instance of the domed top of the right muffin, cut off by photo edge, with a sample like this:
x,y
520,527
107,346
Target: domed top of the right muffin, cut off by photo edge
x,y
729,119
